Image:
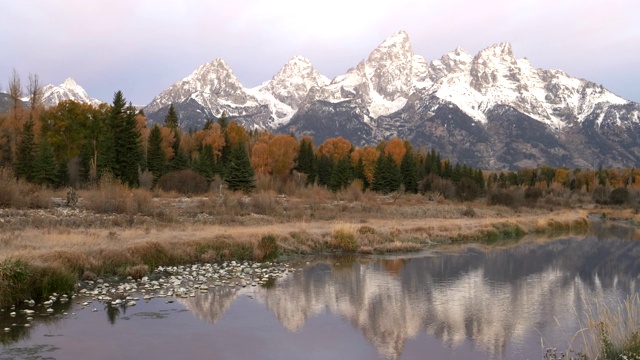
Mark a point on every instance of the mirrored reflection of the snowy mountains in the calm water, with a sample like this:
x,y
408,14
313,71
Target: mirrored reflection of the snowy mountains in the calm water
x,y
502,302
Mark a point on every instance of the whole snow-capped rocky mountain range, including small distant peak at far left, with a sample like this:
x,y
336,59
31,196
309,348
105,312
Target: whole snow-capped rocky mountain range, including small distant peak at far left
x,y
490,110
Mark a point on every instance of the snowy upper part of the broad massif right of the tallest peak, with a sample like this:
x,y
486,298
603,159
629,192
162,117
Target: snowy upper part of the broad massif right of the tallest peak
x,y
495,77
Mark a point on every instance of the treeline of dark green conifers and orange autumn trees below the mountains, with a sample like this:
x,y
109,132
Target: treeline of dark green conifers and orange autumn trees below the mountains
x,y
76,144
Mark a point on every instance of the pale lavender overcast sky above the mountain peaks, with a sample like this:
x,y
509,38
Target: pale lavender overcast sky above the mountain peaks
x,y
143,46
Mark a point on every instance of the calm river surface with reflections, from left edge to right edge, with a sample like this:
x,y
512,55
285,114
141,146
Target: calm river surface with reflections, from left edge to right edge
x,y
462,303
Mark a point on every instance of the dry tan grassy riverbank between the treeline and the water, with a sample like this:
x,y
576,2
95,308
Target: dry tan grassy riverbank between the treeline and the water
x,y
47,250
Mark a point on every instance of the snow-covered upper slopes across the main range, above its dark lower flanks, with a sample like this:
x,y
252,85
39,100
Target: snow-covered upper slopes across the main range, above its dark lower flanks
x,y
382,84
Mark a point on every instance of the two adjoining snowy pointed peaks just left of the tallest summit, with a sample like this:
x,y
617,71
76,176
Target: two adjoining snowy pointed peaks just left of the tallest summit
x,y
213,89
